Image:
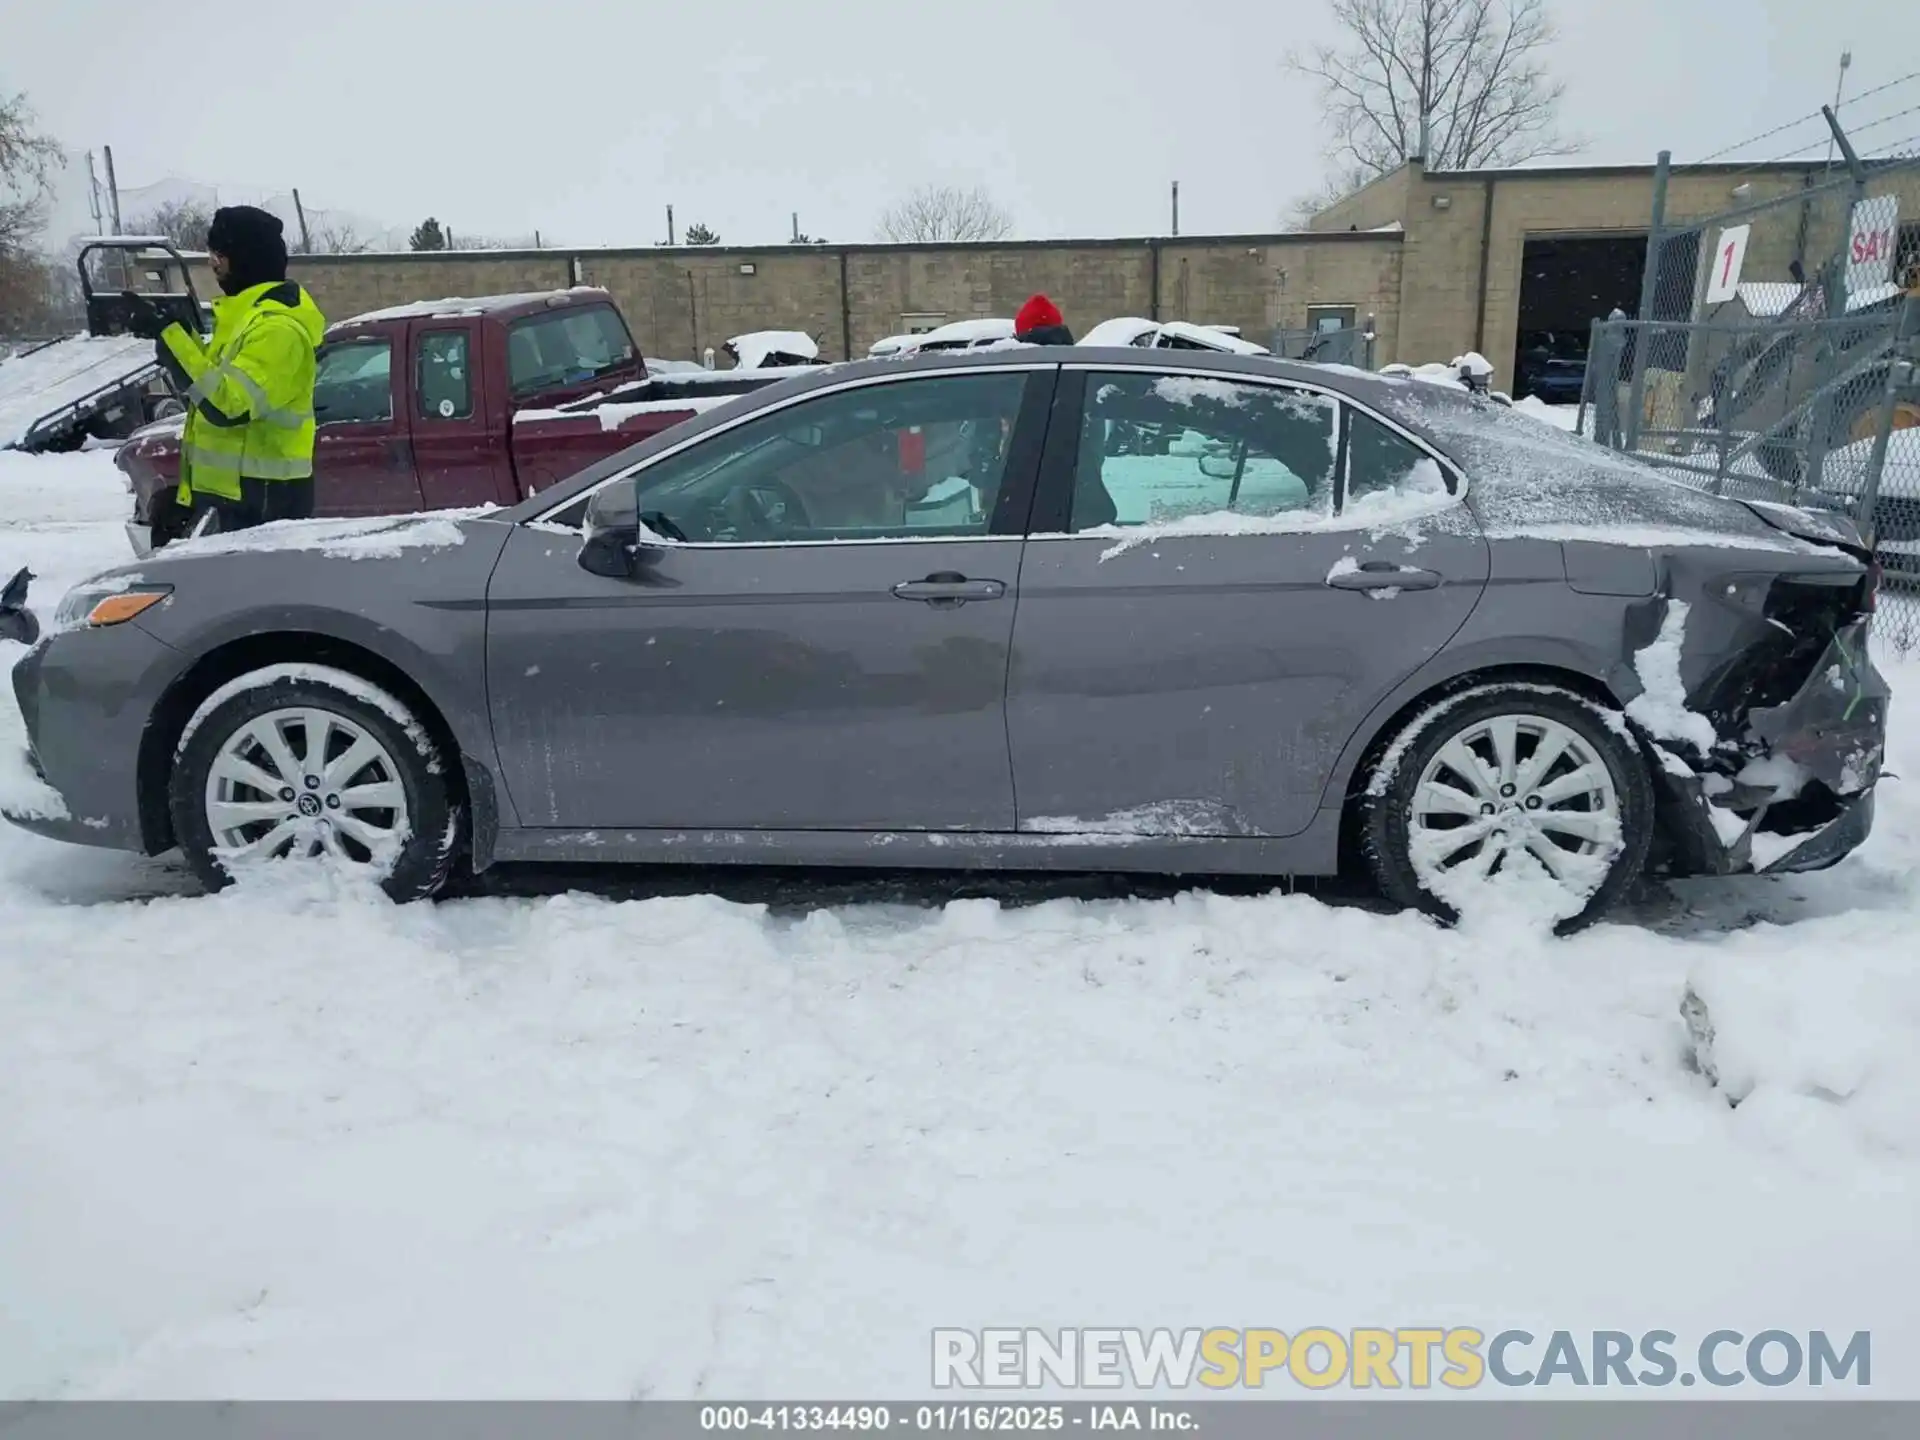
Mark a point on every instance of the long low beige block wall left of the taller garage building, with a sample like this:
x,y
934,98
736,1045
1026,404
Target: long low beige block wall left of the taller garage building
x,y
684,300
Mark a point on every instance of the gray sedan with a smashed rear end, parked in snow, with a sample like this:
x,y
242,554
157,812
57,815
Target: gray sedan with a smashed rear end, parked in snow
x,y
1063,610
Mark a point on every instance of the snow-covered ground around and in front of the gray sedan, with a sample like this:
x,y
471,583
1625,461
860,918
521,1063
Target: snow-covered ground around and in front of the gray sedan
x,y
299,1141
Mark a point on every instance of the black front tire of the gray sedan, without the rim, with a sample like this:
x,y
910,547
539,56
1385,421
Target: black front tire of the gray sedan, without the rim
x,y
437,819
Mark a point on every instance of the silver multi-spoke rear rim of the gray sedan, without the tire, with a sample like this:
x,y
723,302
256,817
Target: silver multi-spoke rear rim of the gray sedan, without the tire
x,y
1508,786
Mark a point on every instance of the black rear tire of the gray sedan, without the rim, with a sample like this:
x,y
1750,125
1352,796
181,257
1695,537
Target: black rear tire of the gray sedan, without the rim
x,y
1387,800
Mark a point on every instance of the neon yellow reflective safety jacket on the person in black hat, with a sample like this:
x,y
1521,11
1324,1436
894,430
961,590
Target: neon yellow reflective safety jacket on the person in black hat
x,y
249,391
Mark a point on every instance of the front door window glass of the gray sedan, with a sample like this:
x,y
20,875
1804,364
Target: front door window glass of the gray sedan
x,y
911,458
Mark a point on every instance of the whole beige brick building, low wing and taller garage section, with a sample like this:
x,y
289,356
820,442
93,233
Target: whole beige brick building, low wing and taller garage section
x,y
1445,262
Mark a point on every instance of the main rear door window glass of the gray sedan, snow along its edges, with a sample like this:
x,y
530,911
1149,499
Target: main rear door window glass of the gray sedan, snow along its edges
x,y
1166,446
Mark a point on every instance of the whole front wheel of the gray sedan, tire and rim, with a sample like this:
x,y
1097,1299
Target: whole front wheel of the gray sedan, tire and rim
x,y
304,761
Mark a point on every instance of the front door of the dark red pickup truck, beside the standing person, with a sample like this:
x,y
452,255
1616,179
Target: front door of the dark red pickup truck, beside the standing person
x,y
362,454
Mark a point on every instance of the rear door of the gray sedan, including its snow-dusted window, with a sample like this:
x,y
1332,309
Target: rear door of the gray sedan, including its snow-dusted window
x,y
1220,585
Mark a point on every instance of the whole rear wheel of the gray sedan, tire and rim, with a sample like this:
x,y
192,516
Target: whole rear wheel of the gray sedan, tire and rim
x,y
1510,784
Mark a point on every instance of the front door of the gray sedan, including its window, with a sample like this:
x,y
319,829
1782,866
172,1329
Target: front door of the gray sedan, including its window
x,y
819,642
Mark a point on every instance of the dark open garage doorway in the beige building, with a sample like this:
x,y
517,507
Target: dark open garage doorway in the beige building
x,y
1566,285
